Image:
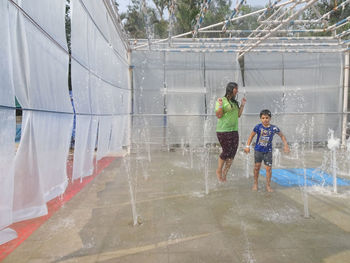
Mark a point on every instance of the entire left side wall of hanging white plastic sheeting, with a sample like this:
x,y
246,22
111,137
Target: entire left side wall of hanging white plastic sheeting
x,y
34,68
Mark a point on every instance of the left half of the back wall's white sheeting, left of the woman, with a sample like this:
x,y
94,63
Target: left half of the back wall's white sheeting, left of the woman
x,y
180,84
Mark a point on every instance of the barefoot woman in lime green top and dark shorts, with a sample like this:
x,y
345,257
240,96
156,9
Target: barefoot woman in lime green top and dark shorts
x,y
228,111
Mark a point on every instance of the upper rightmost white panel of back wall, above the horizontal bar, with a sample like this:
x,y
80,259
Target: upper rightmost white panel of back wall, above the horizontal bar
x,y
313,82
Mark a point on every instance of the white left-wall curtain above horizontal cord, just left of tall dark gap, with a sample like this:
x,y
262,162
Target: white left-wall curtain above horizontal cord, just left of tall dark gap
x,y
40,64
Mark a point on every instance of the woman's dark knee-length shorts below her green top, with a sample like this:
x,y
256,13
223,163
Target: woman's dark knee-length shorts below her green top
x,y
229,144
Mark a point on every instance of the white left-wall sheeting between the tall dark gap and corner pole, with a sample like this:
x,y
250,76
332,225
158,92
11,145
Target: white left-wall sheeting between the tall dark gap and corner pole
x,y
100,84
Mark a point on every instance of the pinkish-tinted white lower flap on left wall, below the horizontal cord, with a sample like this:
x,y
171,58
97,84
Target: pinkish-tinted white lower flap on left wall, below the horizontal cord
x,y
29,199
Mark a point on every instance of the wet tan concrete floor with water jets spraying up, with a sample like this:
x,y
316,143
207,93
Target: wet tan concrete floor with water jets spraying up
x,y
177,221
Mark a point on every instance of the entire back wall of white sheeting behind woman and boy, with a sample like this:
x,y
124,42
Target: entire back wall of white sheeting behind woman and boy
x,y
300,89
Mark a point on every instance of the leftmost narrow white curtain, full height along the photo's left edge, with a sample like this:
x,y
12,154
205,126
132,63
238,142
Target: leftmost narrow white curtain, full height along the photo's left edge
x,y
7,128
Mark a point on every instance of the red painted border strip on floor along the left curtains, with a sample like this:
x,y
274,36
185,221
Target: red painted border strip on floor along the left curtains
x,y
25,228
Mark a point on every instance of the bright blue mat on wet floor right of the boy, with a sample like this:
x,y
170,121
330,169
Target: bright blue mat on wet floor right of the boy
x,y
295,177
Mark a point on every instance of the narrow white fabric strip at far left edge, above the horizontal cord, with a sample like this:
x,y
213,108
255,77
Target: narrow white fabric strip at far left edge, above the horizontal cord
x,y
7,90
